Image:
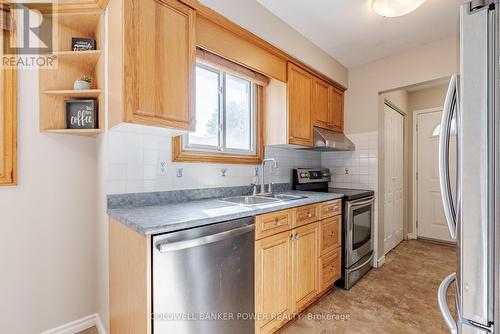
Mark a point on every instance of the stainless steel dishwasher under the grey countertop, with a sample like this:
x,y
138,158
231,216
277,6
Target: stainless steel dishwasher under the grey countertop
x,y
203,279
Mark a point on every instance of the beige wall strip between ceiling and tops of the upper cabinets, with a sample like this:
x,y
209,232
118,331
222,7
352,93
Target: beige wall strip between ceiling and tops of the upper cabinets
x,y
257,19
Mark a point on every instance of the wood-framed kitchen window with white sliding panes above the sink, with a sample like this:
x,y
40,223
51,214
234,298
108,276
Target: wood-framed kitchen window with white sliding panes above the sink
x,y
228,115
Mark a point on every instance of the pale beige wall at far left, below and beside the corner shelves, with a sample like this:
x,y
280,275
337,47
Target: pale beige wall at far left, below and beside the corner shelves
x,y
47,226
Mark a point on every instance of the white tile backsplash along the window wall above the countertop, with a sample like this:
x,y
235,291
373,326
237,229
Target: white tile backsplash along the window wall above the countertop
x,y
134,158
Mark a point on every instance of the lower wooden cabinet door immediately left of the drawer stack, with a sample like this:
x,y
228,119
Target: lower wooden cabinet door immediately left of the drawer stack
x,y
305,257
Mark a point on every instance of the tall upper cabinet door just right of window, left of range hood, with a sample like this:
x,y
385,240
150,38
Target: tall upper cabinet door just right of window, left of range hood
x,y
299,106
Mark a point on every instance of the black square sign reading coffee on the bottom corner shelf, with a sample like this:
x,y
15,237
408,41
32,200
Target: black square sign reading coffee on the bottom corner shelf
x,y
81,114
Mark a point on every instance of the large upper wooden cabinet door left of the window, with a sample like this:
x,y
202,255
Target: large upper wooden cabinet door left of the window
x,y
159,63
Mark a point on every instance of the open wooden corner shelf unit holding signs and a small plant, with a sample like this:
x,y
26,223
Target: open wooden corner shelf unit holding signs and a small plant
x,y
56,83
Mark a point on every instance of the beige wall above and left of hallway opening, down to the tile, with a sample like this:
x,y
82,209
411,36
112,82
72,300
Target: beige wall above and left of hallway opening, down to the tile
x,y
427,62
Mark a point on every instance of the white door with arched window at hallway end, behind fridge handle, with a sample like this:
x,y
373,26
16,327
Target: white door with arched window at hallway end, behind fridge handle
x,y
431,223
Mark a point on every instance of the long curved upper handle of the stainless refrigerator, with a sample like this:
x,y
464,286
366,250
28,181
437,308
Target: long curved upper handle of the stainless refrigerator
x,y
444,153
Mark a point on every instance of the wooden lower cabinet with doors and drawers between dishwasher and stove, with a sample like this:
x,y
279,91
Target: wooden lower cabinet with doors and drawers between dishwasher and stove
x,y
295,267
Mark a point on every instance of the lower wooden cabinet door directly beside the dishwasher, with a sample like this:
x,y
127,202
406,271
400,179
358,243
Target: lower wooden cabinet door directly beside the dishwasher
x,y
272,282
